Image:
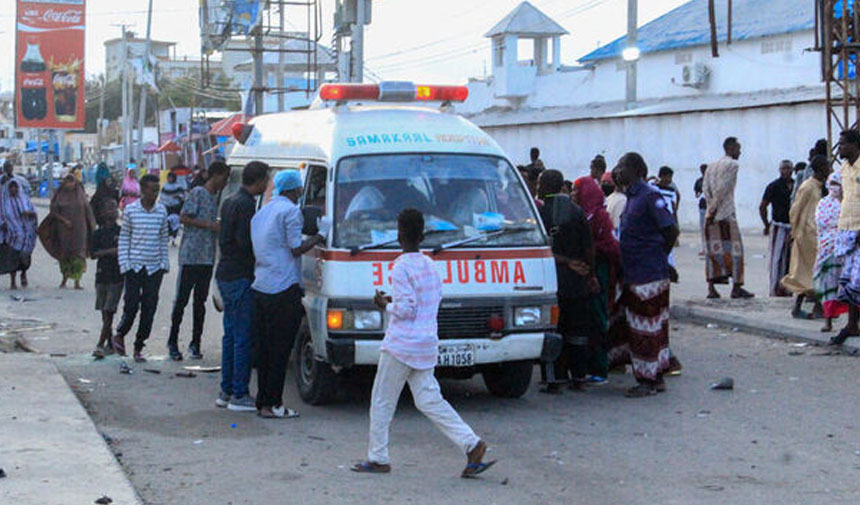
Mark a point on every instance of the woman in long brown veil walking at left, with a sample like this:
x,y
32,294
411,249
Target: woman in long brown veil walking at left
x,y
65,232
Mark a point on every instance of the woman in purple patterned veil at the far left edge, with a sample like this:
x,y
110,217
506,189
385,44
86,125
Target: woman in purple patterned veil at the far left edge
x,y
18,227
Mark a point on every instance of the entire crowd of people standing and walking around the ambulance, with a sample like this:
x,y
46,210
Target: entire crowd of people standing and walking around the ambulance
x,y
612,236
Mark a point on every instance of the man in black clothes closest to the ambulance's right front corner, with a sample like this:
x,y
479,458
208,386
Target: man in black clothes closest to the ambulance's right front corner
x,y
573,249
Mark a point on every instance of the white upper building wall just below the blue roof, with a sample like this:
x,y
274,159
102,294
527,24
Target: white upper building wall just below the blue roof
x,y
778,62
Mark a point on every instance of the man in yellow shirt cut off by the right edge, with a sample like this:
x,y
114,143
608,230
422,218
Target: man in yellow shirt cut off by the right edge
x,y
849,233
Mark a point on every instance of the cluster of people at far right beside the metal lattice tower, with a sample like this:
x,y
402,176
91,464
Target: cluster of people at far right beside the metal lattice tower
x,y
813,228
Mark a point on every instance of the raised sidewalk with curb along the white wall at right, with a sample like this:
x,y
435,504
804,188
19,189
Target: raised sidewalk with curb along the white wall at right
x,y
762,315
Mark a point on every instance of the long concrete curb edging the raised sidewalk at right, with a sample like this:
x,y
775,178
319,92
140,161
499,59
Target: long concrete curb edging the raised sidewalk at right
x,y
764,328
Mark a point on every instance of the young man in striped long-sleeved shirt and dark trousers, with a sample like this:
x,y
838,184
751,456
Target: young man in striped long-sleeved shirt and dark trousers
x,y
143,262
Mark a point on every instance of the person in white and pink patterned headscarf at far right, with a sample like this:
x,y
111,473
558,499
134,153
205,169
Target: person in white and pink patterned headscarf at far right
x,y
828,265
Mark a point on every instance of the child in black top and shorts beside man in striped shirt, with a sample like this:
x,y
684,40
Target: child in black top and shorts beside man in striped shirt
x,y
108,278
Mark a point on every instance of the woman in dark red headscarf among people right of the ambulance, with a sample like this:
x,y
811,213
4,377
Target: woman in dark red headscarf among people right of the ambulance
x,y
607,262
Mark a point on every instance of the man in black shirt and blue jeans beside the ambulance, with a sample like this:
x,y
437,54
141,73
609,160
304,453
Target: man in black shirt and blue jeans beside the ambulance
x,y
234,276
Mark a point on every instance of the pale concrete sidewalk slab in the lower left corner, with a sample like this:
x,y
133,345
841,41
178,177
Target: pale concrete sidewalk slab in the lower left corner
x,y
49,447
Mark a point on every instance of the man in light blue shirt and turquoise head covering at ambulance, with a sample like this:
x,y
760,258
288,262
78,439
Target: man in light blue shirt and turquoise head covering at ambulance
x,y
276,233
